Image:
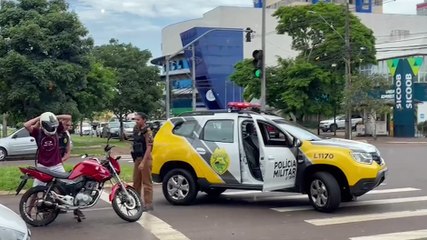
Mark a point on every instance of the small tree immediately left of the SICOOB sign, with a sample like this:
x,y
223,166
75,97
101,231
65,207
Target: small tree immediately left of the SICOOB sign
x,y
364,96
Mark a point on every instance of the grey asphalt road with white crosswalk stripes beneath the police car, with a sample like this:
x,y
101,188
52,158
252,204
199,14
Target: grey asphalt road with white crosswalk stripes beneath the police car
x,y
399,205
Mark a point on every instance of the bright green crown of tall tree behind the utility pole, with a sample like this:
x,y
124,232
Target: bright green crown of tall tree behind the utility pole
x,y
318,32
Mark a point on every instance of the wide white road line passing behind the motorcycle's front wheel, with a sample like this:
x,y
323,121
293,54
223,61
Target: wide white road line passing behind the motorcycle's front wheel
x,y
155,225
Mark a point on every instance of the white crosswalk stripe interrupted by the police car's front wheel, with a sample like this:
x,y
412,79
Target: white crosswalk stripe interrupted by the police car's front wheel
x,y
357,204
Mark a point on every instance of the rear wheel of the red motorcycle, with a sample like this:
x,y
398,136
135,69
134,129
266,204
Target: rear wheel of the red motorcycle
x,y
30,201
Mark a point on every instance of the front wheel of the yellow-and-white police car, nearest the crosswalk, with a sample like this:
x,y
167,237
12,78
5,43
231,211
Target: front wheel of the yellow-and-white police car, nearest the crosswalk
x,y
324,192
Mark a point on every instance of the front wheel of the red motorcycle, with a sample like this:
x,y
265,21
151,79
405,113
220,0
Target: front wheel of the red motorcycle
x,y
128,208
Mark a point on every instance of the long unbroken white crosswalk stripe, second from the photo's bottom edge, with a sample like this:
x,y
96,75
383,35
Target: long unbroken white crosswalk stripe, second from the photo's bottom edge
x,y
366,217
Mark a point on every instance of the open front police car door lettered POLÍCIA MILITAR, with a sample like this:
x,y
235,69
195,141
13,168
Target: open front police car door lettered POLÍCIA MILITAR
x,y
277,162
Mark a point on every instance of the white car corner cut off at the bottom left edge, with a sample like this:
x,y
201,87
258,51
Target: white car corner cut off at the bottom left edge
x,y
12,226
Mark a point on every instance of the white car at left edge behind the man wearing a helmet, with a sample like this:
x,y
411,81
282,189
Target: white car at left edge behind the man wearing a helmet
x,y
19,143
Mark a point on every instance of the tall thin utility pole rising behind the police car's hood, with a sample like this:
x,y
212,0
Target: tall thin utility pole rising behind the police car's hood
x,y
348,125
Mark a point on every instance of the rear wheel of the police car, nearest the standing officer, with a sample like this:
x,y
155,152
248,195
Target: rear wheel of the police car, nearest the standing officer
x,y
179,187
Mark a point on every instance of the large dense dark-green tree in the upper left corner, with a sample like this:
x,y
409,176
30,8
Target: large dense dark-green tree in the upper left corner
x,y
43,50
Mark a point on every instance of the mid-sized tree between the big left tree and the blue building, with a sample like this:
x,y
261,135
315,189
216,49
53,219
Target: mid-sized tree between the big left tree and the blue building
x,y
137,87
